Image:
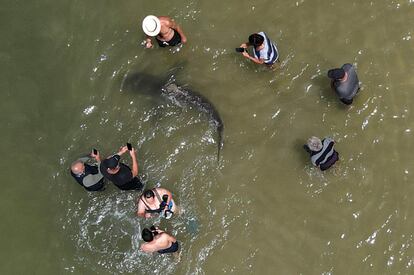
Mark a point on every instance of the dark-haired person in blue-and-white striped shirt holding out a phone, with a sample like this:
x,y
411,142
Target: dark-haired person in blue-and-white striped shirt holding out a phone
x,y
264,50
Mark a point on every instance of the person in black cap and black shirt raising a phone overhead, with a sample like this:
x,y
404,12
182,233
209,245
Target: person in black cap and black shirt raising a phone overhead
x,y
119,173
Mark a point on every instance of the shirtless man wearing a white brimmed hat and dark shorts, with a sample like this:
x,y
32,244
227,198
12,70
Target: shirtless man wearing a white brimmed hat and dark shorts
x,y
164,29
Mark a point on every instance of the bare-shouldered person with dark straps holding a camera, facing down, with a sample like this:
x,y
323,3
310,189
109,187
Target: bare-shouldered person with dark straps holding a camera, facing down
x,y
156,201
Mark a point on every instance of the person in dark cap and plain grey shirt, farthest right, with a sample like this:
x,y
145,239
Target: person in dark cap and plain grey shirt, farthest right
x,y
345,82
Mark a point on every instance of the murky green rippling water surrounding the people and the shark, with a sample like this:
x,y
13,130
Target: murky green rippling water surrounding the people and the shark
x,y
265,210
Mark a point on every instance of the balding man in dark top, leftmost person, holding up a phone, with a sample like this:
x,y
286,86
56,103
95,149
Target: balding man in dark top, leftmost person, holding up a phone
x,y
88,175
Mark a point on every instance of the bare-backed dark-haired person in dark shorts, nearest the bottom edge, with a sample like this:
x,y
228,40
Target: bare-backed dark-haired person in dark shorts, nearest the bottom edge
x,y
157,240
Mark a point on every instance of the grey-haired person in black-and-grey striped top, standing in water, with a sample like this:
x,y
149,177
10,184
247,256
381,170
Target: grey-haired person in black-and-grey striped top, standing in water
x,y
321,152
